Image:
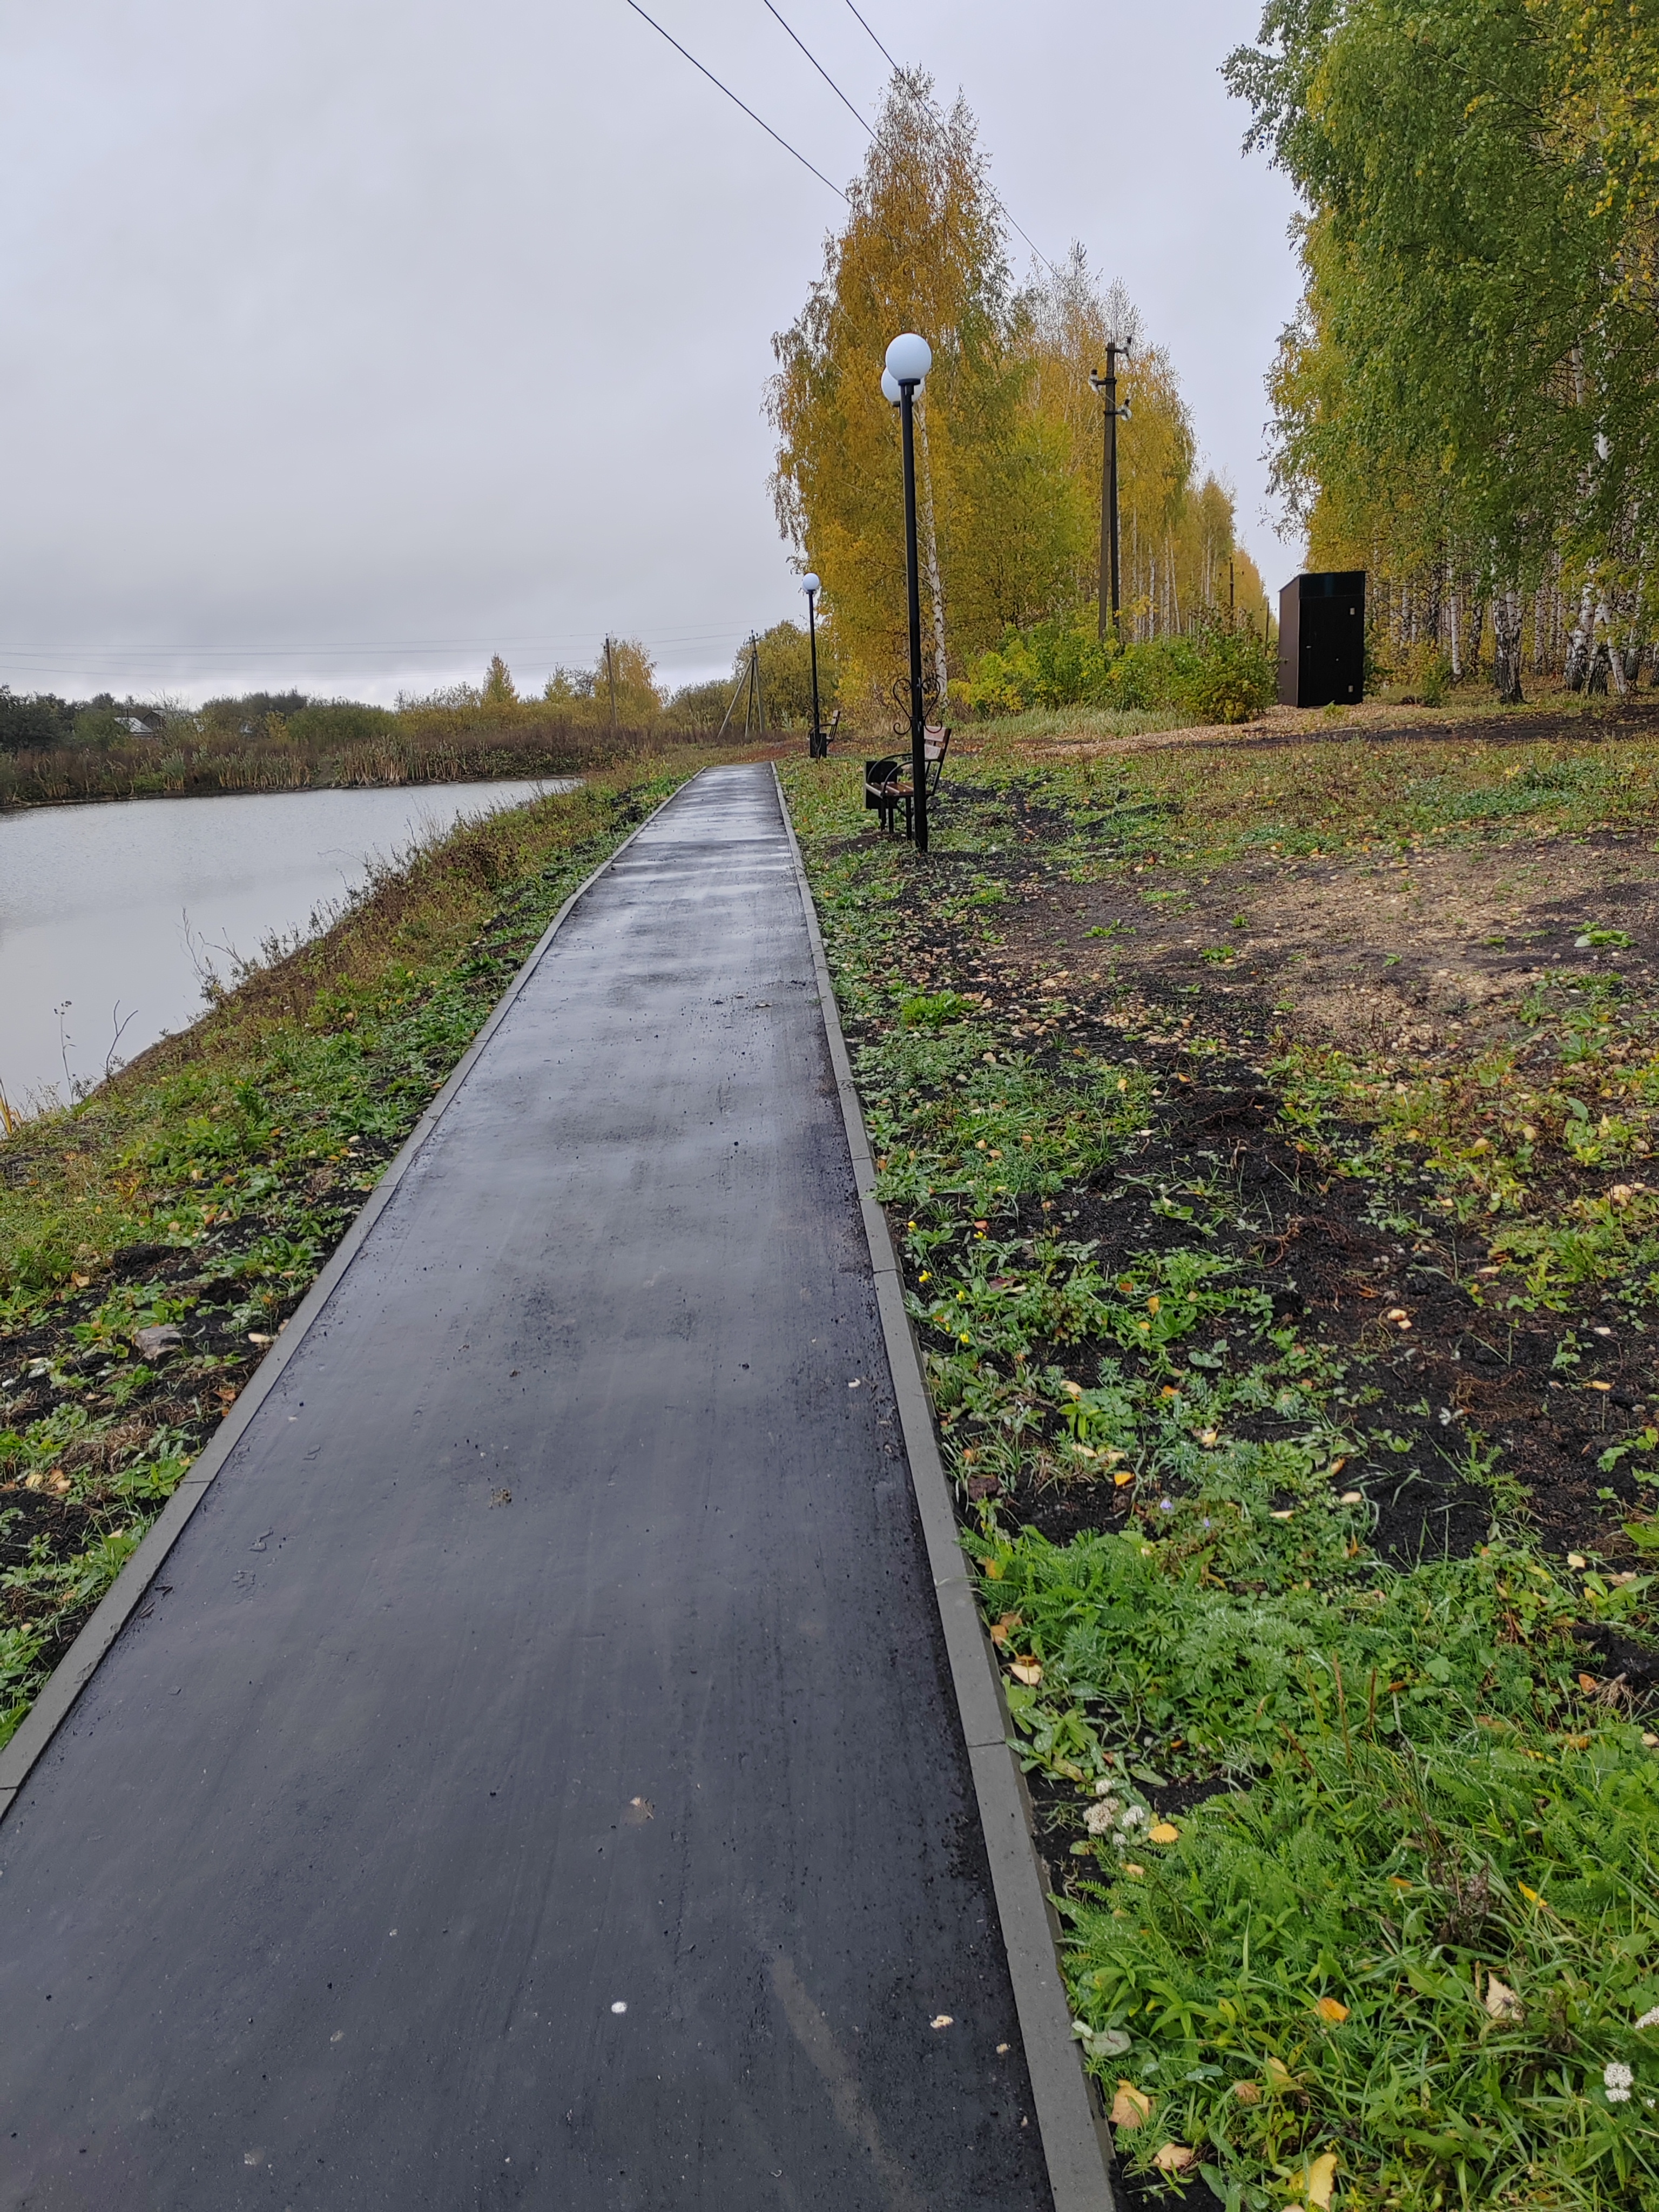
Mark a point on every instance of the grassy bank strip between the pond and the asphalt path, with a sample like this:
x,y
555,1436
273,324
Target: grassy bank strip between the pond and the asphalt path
x,y
156,1238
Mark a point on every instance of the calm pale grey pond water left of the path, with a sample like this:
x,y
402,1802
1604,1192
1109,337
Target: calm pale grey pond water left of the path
x,y
109,915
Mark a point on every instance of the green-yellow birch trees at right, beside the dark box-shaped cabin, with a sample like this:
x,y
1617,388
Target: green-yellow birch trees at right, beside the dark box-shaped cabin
x,y
1465,404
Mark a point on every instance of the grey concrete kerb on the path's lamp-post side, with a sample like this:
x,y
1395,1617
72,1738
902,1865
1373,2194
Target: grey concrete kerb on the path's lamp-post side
x,y
1070,2114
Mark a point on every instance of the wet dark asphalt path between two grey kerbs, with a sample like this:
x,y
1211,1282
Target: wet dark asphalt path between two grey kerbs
x,y
534,1775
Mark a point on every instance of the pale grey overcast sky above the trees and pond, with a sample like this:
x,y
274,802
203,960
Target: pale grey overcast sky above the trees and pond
x,y
346,342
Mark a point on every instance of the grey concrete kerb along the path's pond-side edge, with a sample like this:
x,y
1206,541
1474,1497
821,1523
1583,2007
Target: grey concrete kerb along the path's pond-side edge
x,y
123,1598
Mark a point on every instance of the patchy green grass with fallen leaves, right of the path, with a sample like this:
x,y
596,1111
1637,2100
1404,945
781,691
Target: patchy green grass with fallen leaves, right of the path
x,y
1346,1762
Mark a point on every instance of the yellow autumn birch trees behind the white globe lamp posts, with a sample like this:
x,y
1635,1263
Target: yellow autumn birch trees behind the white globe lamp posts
x,y
1010,448
